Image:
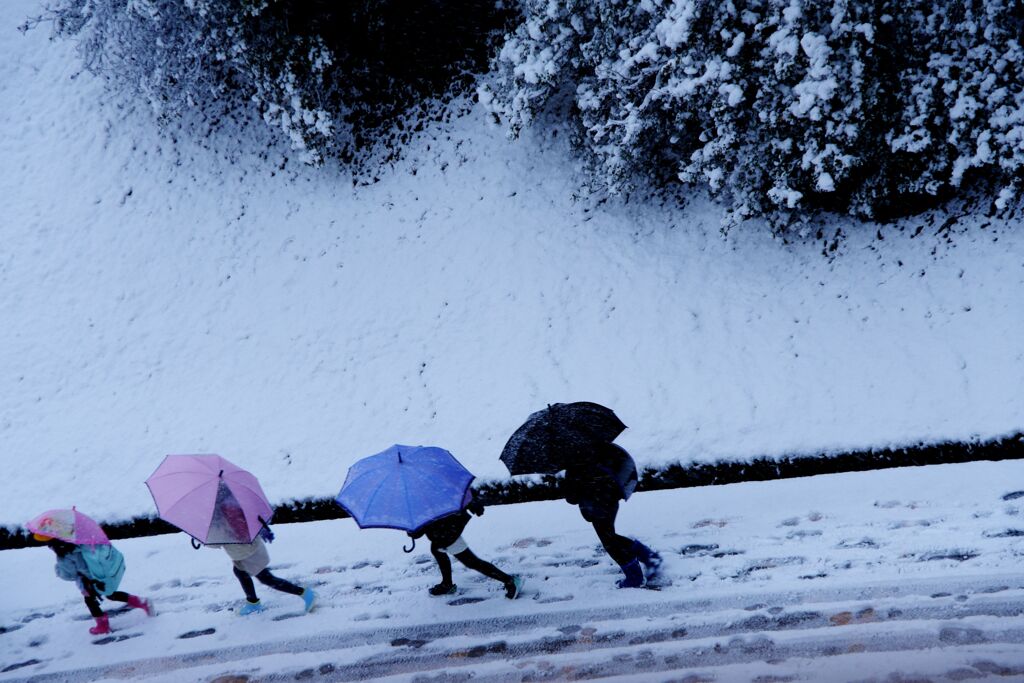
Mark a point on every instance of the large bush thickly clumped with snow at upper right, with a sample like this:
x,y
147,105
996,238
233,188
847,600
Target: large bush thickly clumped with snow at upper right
x,y
778,105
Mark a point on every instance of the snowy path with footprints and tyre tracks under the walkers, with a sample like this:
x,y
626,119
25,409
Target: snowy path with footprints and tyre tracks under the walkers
x,y
900,575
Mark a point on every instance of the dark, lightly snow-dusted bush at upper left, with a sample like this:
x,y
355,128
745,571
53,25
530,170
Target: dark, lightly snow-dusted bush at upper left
x,y
336,79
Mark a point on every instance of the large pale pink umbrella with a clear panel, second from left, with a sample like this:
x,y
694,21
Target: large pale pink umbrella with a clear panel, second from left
x,y
209,498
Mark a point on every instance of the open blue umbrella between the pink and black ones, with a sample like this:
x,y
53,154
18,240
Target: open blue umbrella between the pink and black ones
x,y
405,488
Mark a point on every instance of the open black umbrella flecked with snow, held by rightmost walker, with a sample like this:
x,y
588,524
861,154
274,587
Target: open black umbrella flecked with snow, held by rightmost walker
x,y
559,436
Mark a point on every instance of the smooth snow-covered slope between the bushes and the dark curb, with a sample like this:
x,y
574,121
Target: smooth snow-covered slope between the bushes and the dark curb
x,y
166,298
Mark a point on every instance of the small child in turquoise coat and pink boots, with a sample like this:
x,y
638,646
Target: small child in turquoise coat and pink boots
x,y
73,566
